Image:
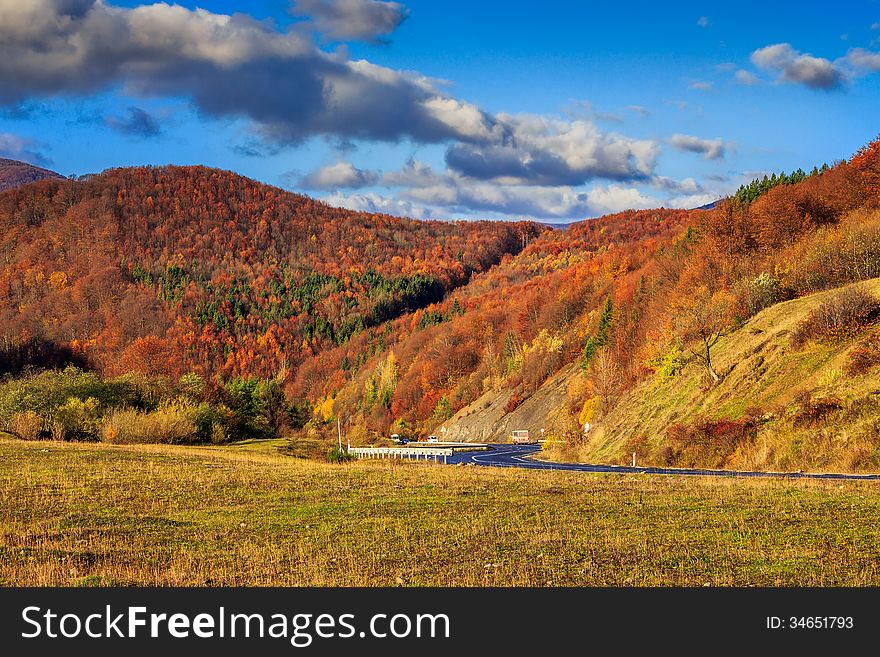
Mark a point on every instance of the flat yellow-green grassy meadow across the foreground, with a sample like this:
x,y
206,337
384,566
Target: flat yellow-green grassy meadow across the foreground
x,y
95,514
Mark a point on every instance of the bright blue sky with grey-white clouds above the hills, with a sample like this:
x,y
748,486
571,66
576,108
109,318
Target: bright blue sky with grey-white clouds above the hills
x,y
556,111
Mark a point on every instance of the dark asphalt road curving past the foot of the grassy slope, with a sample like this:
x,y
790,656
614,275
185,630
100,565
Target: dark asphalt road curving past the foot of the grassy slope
x,y
518,456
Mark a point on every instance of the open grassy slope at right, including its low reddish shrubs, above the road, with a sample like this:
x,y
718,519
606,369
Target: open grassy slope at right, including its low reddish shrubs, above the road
x,y
778,407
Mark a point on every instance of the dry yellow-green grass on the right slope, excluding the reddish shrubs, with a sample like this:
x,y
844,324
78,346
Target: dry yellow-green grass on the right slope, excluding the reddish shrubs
x,y
765,372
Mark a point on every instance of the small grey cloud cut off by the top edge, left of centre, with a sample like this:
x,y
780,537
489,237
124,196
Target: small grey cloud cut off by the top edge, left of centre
x,y
352,20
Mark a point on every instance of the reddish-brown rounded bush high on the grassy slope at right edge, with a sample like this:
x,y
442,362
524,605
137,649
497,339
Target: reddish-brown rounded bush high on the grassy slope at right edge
x,y
847,312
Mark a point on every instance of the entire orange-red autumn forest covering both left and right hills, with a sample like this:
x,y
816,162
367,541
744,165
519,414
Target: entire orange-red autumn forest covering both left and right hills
x,y
283,314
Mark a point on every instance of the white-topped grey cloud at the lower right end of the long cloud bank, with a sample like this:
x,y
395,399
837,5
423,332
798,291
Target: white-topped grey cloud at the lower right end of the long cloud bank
x,y
538,150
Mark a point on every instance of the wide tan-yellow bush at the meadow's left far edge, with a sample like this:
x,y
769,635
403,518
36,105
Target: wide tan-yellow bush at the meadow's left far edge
x,y
171,423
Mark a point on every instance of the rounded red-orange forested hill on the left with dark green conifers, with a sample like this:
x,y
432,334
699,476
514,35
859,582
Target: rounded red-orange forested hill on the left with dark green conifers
x,y
170,270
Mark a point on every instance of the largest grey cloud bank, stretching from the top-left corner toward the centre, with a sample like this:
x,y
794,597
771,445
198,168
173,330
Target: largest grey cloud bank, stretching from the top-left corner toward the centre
x,y
229,66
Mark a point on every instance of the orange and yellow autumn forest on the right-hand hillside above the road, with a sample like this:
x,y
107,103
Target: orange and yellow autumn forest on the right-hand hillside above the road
x,y
624,299
